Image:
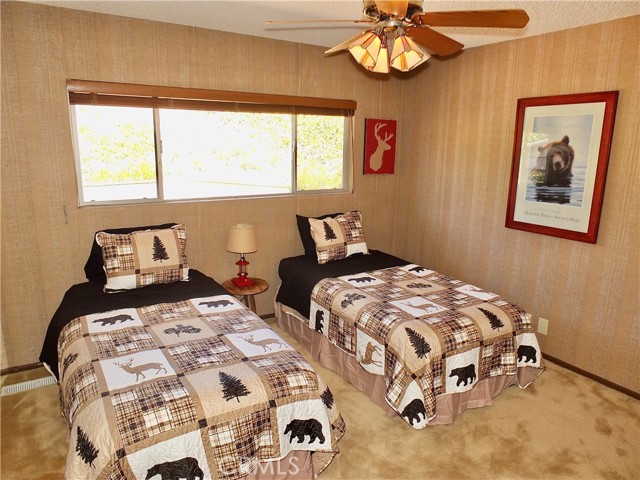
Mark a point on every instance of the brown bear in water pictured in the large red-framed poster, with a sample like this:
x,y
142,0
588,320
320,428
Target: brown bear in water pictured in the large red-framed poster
x,y
553,169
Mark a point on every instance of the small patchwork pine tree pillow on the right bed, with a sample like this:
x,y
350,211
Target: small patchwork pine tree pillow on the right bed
x,y
338,237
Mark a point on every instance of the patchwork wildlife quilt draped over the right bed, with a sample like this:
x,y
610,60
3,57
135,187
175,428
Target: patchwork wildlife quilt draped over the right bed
x,y
428,334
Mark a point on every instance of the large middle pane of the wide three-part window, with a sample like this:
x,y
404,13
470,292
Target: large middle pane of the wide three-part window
x,y
224,154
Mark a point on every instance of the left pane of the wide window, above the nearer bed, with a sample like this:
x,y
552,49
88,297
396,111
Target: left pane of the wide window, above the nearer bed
x,y
116,153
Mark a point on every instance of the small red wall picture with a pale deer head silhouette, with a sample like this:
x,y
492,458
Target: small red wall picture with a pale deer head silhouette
x,y
379,146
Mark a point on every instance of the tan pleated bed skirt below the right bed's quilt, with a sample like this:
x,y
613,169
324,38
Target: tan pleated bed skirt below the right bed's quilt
x,y
448,407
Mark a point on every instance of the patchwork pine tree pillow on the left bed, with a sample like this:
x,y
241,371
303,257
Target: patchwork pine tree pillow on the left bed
x,y
144,258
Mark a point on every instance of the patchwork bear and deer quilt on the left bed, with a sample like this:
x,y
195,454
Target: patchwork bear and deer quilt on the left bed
x,y
200,388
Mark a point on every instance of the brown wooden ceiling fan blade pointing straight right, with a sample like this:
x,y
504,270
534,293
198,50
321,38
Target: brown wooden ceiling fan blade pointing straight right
x,y
474,18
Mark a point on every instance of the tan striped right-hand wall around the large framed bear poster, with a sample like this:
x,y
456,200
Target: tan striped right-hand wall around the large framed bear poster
x,y
457,175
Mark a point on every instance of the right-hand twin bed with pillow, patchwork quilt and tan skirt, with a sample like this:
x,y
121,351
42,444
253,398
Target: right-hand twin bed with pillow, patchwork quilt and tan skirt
x,y
420,344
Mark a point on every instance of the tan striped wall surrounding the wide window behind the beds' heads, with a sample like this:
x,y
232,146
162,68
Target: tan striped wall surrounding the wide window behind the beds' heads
x,y
46,237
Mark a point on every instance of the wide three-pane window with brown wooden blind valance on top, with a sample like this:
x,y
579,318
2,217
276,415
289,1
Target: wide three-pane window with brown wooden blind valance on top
x,y
136,143
